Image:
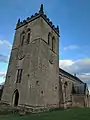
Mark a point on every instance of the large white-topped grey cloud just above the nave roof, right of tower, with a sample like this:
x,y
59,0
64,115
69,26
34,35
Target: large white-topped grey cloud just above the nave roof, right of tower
x,y
77,66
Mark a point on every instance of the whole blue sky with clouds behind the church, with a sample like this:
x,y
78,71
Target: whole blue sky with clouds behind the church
x,y
73,18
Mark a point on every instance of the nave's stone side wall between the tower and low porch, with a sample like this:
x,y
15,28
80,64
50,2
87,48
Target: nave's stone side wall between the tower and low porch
x,y
66,91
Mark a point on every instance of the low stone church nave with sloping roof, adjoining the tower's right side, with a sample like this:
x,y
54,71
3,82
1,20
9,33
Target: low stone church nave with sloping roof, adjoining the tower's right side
x,y
71,99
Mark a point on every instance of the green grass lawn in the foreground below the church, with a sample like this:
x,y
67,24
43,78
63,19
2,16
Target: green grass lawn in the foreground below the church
x,y
70,114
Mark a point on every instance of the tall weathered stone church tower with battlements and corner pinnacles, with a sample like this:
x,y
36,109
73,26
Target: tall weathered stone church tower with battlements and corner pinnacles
x,y
32,78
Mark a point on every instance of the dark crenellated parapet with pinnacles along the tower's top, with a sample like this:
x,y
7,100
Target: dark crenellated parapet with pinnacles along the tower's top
x,y
37,15
